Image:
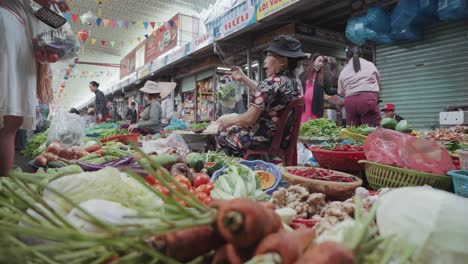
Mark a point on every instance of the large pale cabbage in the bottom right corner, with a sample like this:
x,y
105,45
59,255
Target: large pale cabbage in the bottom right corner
x,y
433,221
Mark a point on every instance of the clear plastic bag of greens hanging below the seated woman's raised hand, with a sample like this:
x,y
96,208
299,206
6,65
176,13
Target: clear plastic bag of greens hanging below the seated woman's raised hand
x,y
229,92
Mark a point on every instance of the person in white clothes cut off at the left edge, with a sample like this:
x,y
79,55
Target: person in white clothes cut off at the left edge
x,y
18,73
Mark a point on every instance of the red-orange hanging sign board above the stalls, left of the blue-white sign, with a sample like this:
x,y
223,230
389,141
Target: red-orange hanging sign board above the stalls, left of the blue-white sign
x,y
162,40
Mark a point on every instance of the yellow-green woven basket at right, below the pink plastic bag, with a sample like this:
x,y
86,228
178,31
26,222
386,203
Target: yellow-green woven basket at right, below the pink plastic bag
x,y
380,176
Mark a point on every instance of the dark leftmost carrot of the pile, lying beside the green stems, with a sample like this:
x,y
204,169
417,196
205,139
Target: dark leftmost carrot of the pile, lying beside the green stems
x,y
187,244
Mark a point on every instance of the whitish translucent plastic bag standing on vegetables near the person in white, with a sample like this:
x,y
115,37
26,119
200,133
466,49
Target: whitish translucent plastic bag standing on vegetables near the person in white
x,y
67,128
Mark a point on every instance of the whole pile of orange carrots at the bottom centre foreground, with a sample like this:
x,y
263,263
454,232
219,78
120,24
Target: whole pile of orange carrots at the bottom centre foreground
x,y
244,229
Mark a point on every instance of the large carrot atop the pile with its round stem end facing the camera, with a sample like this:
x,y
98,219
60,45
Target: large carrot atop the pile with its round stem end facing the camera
x,y
244,223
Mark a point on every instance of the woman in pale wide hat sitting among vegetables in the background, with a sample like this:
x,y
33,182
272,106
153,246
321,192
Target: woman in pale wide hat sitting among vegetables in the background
x,y
151,118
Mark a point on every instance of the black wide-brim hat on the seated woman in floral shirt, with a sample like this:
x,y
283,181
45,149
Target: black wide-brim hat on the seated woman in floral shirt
x,y
286,46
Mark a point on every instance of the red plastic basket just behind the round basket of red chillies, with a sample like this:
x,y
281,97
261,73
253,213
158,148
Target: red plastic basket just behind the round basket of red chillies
x,y
339,160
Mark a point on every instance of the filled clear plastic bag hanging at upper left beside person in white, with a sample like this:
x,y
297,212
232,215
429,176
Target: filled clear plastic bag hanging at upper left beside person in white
x,y
61,42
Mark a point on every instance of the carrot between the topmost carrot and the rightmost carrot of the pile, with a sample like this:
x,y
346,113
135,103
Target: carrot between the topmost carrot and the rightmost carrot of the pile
x,y
289,245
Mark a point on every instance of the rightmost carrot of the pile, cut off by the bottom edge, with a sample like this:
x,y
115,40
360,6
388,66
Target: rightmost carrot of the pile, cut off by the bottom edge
x,y
328,252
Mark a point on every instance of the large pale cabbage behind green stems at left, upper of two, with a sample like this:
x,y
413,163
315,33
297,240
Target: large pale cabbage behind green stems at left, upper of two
x,y
106,184
